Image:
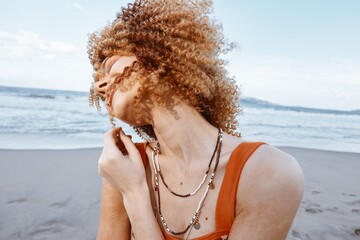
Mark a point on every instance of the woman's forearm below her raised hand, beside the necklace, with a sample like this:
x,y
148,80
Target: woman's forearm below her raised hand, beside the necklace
x,y
141,215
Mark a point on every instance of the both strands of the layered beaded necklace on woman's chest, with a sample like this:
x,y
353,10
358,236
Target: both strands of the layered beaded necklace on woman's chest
x,y
194,221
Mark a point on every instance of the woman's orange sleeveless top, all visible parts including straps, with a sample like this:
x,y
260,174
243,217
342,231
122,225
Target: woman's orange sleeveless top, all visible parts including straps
x,y
226,202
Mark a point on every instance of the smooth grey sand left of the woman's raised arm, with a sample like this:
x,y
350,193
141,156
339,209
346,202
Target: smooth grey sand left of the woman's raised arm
x,y
49,194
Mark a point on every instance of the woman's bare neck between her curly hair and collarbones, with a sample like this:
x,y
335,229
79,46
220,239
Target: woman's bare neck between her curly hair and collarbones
x,y
185,137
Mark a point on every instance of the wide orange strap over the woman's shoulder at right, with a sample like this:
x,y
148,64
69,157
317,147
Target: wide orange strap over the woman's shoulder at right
x,y
226,203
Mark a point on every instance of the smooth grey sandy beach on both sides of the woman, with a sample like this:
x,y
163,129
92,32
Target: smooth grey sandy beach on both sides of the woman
x,y
55,194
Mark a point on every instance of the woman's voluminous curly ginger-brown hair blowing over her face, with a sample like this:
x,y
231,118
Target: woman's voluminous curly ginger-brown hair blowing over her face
x,y
177,45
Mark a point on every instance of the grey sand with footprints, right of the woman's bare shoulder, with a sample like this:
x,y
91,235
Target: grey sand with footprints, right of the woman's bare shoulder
x,y
331,205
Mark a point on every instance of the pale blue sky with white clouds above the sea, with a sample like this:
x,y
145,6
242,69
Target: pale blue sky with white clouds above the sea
x,y
290,52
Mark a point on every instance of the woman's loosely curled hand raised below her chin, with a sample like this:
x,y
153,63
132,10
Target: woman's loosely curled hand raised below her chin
x,y
120,162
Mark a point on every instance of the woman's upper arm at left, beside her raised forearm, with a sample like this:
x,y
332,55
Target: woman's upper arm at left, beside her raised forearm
x,y
114,222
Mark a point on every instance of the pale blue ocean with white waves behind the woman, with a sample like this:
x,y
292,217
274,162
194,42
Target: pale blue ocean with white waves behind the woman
x,y
54,119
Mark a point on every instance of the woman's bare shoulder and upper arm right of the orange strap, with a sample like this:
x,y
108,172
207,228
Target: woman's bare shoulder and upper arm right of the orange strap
x,y
269,194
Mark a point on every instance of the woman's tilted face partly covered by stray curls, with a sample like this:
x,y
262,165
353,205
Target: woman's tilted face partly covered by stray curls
x,y
122,102
